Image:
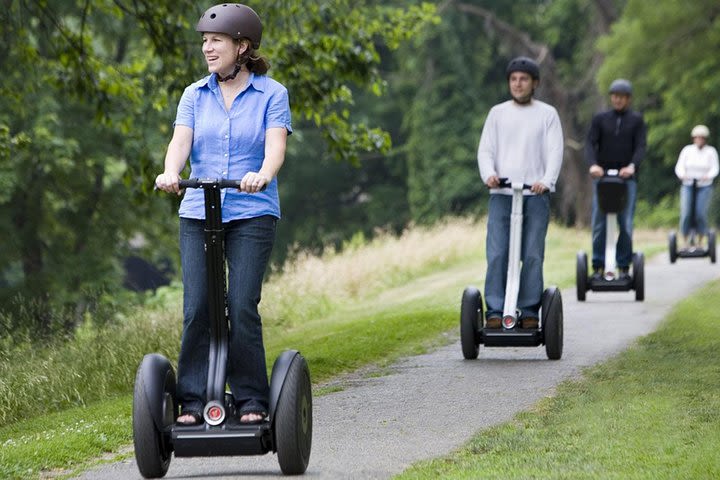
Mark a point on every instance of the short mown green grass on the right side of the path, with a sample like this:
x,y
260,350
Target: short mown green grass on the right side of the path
x,y
651,412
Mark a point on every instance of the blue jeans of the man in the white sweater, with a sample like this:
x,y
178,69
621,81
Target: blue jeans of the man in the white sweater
x,y
536,215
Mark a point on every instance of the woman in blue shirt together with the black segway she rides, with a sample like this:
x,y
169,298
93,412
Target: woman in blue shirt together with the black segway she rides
x,y
233,124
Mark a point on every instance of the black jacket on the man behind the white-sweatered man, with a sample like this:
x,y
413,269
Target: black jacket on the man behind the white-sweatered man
x,y
616,139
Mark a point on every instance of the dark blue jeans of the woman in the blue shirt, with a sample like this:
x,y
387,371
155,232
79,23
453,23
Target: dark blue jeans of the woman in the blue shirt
x,y
248,244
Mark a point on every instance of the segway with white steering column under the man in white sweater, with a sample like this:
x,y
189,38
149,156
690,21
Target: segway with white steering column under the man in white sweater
x,y
550,331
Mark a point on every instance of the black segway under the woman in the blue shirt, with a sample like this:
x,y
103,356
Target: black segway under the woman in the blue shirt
x,y
288,428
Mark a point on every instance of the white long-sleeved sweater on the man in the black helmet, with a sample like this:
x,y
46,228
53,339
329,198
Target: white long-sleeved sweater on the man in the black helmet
x,y
523,143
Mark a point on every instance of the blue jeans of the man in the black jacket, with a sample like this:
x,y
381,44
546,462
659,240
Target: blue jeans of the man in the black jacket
x,y
623,252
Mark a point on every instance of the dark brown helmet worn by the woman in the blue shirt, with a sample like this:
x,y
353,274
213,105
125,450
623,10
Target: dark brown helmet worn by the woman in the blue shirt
x,y
234,19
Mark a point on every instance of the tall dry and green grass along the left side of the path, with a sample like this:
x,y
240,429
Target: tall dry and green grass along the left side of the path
x,y
369,306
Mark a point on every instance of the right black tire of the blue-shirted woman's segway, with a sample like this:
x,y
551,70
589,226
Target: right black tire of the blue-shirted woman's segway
x,y
293,419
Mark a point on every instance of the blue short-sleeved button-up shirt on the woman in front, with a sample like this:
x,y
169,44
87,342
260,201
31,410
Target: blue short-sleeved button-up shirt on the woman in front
x,y
228,144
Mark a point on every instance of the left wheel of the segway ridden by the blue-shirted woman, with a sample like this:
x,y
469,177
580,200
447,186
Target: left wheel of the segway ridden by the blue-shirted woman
x,y
154,412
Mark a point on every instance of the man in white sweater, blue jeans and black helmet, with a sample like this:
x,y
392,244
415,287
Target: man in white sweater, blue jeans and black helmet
x,y
522,141
